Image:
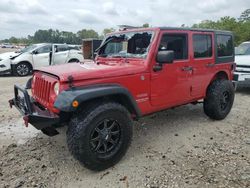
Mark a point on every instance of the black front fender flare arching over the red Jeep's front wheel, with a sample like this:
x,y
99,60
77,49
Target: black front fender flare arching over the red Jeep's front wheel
x,y
65,99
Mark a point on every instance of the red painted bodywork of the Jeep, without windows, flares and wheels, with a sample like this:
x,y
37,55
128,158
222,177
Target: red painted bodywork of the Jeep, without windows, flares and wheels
x,y
153,91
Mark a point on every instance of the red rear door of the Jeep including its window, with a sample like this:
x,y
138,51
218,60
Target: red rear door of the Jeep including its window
x,y
203,62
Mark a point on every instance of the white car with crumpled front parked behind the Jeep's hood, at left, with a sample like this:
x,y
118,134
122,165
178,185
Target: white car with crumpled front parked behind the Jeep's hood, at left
x,y
38,55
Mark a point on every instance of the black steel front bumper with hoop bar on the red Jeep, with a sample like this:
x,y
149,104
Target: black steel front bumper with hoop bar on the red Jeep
x,y
33,113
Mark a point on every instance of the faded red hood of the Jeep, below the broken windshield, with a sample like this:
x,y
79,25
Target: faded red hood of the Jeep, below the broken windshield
x,y
91,70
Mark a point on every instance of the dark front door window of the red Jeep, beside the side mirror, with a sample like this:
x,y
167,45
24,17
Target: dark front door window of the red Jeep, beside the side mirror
x,y
177,43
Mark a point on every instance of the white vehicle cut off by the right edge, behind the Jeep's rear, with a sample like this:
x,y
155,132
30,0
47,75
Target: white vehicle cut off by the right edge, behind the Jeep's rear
x,y
242,60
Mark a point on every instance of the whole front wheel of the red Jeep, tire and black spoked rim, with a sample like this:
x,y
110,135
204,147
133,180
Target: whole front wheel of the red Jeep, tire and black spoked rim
x,y
100,137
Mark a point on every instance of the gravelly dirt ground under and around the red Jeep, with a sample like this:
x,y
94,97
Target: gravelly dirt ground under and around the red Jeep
x,y
176,148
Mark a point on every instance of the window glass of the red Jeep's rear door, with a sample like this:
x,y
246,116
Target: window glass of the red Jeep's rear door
x,y
202,44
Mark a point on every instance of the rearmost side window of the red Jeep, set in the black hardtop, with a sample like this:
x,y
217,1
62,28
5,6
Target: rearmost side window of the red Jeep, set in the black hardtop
x,y
224,45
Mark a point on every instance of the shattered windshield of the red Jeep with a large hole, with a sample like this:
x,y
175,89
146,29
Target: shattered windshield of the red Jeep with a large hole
x,y
131,44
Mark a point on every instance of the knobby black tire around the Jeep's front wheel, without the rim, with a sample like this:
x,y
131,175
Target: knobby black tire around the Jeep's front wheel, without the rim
x,y
85,122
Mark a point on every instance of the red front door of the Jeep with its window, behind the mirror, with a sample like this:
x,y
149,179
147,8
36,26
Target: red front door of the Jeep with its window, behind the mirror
x,y
171,85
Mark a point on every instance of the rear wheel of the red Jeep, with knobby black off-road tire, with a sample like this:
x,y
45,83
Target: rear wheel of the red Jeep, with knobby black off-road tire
x,y
219,99
